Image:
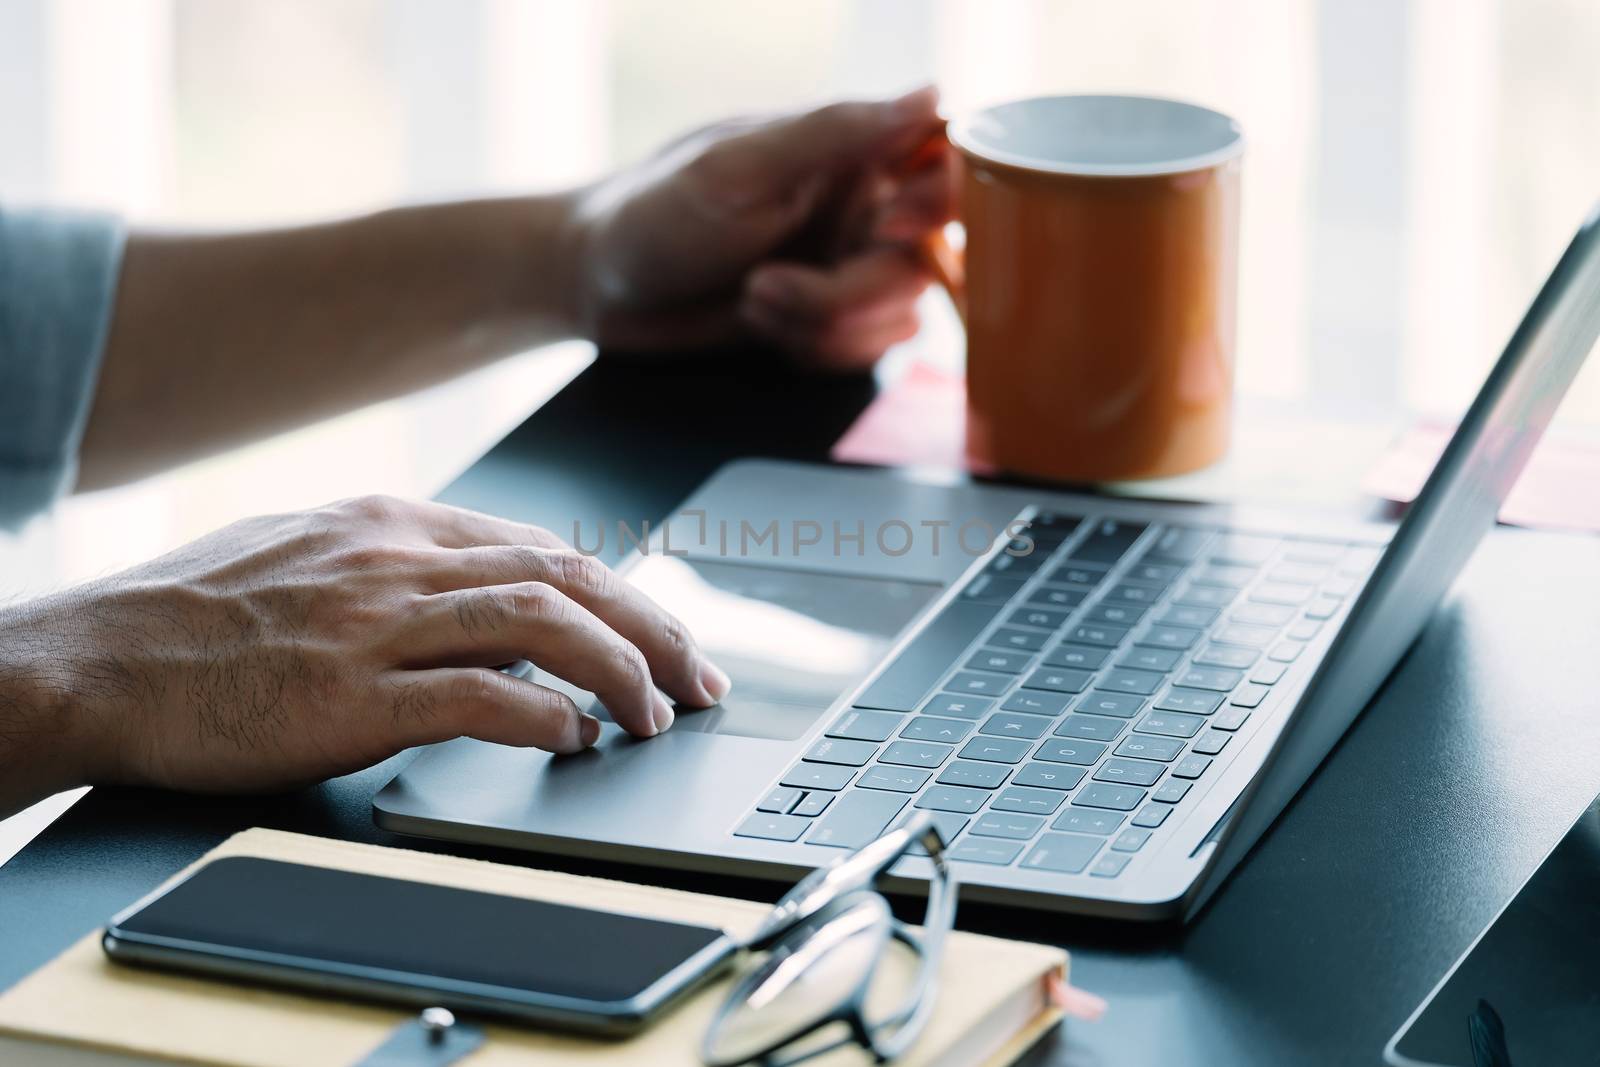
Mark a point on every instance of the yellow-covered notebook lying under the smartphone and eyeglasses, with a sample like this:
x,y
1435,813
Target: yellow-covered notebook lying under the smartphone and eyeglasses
x,y
81,1010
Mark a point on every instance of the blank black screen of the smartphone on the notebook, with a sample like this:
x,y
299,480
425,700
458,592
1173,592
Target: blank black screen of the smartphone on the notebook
x,y
332,922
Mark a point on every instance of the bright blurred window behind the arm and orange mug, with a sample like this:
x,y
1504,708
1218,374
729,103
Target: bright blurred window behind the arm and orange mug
x,y
1414,167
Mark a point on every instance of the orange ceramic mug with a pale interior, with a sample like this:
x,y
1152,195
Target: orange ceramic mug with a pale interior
x,y
1100,286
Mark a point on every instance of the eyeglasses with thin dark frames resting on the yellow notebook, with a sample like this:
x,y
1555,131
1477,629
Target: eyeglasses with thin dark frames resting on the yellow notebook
x,y
830,977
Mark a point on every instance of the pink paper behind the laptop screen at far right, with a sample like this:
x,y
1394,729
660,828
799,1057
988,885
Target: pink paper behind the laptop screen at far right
x,y
1561,489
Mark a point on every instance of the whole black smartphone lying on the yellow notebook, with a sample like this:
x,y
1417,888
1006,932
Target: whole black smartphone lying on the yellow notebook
x,y
420,945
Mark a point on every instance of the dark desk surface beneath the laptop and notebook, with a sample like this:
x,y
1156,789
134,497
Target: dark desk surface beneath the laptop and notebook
x,y
1468,769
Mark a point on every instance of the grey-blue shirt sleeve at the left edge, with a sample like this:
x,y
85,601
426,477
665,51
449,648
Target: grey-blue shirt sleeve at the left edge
x,y
58,281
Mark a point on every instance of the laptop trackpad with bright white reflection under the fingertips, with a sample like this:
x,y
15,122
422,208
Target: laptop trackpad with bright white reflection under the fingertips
x,y
791,641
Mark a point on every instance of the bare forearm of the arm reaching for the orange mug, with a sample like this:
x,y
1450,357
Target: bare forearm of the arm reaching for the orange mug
x,y
218,340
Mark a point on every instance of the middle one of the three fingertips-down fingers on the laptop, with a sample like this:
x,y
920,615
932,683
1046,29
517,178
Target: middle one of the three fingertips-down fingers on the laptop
x,y
497,625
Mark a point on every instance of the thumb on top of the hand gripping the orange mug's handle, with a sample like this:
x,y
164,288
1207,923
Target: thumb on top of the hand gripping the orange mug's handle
x,y
844,137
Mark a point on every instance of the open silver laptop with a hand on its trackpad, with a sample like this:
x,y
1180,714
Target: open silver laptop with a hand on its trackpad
x,y
1103,701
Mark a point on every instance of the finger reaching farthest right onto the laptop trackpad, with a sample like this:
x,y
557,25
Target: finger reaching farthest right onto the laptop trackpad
x,y
676,663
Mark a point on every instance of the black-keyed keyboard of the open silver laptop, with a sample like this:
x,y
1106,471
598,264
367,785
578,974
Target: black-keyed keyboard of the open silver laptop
x,y
1068,700
